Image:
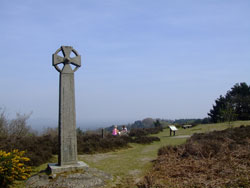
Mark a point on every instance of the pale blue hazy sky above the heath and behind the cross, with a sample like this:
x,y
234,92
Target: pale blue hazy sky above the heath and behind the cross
x,y
140,58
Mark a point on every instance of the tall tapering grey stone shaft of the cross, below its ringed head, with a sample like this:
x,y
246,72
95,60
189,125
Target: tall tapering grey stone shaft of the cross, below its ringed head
x,y
67,122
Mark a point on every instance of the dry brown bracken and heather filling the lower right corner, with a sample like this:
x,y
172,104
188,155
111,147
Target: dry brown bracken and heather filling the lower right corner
x,y
216,159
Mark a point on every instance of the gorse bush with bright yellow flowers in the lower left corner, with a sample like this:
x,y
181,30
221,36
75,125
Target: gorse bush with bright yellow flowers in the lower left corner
x,y
13,167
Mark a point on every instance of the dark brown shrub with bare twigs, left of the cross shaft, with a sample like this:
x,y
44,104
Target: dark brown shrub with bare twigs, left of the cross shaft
x,y
16,134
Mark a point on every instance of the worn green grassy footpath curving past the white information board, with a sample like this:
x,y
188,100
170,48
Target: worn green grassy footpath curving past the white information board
x,y
129,165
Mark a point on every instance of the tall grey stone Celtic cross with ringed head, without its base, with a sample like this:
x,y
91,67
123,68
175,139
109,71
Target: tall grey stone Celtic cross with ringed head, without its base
x,y
67,115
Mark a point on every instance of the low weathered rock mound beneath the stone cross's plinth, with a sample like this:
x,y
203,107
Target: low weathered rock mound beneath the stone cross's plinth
x,y
90,177
